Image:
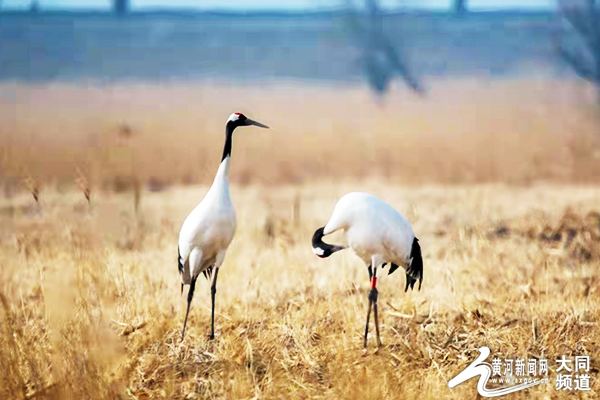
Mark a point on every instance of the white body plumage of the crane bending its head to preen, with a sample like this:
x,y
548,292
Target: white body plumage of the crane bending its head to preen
x,y
375,231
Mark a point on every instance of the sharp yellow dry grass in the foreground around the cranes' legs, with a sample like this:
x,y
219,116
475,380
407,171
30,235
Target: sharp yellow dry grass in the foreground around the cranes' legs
x,y
91,305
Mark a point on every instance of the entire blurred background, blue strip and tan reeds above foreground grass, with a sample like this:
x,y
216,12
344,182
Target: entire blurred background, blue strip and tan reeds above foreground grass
x,y
123,93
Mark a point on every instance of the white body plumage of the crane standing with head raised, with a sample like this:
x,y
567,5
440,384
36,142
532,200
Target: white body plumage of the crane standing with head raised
x,y
209,229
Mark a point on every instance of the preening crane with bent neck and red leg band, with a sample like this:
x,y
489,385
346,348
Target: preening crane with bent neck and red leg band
x,y
378,234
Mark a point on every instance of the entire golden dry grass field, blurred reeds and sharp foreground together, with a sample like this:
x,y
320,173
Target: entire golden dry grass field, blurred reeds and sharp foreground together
x,y
499,183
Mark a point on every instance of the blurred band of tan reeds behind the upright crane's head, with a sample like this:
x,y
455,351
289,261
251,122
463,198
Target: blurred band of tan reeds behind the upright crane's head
x,y
463,131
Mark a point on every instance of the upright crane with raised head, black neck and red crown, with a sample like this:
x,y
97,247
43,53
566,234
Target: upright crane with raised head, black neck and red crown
x,y
208,230
